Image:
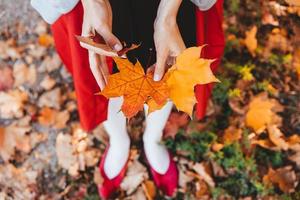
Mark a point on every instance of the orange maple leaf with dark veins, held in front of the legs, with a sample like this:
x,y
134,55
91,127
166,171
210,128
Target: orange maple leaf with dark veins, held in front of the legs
x,y
136,87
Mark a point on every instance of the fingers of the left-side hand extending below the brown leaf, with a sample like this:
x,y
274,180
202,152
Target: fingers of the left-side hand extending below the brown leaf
x,y
94,65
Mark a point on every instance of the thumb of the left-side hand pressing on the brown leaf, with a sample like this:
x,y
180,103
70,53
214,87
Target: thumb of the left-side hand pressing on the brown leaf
x,y
110,39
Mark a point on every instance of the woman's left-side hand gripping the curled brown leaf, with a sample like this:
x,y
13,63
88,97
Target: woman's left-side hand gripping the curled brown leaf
x,y
97,20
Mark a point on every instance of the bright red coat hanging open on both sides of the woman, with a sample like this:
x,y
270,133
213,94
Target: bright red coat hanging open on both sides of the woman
x,y
93,109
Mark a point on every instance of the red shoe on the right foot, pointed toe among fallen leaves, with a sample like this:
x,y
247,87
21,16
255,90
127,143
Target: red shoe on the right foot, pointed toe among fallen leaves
x,y
166,182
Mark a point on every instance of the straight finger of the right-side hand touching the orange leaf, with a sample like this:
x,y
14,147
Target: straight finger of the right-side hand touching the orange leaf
x,y
161,59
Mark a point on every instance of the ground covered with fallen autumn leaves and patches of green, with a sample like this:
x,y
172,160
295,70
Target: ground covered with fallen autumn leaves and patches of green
x,y
248,146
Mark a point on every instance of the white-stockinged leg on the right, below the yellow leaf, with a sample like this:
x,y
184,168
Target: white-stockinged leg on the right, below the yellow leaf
x,y
157,154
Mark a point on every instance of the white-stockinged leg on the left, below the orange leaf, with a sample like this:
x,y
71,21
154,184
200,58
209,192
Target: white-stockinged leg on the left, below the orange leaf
x,y
119,141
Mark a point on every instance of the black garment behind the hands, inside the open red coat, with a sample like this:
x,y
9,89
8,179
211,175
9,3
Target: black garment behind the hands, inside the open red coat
x,y
133,23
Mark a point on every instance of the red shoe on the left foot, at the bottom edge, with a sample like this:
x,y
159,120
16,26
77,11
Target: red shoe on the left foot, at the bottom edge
x,y
110,185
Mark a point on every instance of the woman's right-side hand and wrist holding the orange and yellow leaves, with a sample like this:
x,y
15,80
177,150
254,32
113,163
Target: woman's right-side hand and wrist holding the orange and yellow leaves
x,y
167,37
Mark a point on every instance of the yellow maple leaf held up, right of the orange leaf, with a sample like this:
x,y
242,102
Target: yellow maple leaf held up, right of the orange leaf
x,y
188,71
